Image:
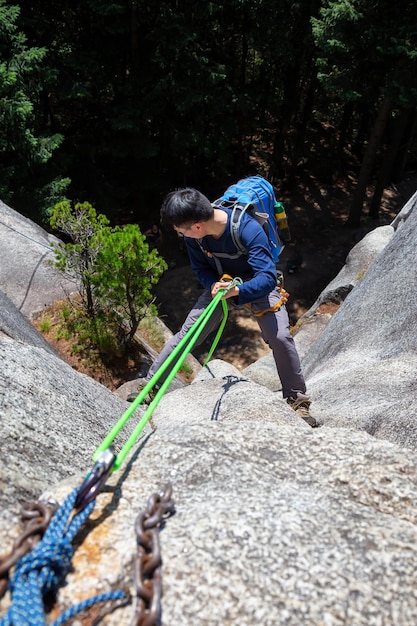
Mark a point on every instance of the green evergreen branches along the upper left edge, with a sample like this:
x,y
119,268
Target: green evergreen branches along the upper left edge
x,y
24,148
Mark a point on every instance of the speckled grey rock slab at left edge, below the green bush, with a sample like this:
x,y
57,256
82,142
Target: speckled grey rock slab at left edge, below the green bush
x,y
52,420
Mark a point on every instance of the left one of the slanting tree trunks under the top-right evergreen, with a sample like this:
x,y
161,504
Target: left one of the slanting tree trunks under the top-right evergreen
x,y
368,162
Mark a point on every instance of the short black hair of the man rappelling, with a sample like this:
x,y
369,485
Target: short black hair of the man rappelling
x,y
185,207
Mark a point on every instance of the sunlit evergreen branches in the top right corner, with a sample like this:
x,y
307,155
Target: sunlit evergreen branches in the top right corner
x,y
366,48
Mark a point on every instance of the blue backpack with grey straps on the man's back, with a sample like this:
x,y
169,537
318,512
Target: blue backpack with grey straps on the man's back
x,y
253,195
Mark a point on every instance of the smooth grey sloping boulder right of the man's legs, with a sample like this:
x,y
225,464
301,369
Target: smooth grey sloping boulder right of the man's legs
x,y
361,370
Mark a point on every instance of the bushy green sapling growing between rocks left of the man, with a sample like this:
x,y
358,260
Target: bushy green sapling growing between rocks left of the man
x,y
113,266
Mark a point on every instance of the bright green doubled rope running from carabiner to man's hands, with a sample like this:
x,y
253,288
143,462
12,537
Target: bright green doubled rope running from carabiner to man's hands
x,y
185,345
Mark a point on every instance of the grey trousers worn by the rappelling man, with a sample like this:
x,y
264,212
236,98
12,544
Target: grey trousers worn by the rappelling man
x,y
275,330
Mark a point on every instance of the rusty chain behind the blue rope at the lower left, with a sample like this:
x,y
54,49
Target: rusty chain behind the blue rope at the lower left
x,y
35,517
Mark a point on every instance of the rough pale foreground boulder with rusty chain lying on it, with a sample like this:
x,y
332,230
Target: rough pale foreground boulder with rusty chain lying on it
x,y
274,525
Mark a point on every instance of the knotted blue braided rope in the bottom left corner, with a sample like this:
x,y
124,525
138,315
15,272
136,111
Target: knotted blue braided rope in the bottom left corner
x,y
43,570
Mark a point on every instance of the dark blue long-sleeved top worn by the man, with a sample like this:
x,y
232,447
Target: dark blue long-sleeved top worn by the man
x,y
256,268
